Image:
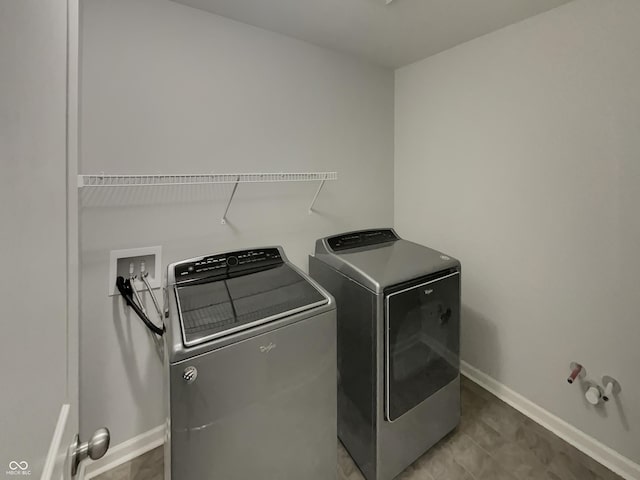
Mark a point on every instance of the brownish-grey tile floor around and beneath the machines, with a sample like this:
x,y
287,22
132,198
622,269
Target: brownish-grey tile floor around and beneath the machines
x,y
493,442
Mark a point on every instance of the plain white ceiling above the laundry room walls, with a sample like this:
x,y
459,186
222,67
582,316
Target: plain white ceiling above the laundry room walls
x,y
392,35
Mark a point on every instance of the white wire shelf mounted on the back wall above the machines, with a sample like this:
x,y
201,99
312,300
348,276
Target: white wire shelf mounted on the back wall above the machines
x,y
168,180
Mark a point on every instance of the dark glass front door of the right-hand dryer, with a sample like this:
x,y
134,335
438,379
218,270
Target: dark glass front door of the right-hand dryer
x,y
422,352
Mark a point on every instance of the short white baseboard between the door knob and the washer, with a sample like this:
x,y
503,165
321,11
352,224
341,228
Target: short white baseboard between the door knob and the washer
x,y
126,451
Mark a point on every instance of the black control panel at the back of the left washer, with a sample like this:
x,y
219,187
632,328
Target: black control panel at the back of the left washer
x,y
227,263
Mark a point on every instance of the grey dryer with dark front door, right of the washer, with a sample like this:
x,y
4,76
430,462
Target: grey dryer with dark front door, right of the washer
x,y
398,306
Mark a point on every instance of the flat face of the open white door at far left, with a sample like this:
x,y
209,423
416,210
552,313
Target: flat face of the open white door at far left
x,y
33,228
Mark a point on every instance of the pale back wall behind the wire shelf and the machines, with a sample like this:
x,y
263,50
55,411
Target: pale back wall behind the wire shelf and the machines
x,y
170,89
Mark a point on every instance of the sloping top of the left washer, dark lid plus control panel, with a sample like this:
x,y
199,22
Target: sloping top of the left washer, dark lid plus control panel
x,y
222,294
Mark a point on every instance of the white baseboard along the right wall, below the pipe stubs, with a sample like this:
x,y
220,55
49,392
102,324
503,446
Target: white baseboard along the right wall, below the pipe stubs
x,y
608,457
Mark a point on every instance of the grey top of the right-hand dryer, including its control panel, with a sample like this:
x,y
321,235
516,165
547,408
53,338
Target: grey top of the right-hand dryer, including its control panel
x,y
379,258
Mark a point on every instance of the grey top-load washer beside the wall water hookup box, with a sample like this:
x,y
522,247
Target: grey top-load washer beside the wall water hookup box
x,y
250,357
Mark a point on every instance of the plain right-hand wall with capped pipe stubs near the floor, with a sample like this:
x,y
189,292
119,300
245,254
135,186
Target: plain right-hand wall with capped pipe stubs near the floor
x,y
519,153
